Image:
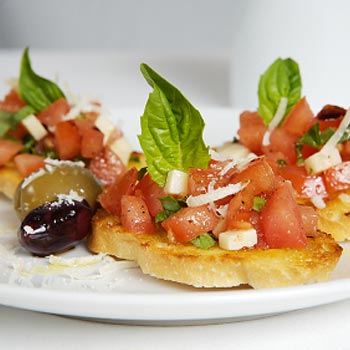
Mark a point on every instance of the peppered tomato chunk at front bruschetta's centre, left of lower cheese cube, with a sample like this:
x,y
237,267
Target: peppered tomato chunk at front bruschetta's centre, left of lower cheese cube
x,y
188,223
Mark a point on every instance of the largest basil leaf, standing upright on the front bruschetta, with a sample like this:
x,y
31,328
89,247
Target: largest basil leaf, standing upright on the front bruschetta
x,y
171,130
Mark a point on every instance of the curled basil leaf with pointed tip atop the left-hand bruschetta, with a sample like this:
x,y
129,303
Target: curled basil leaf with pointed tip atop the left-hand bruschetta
x,y
36,91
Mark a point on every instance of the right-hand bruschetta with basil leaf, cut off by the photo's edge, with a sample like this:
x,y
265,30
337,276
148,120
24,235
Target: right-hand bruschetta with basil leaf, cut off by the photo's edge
x,y
311,151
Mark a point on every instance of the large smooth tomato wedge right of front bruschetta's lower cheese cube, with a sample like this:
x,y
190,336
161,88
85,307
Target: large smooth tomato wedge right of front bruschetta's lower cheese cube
x,y
281,220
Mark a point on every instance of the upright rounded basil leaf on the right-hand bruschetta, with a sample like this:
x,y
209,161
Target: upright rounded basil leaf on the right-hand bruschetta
x,y
281,79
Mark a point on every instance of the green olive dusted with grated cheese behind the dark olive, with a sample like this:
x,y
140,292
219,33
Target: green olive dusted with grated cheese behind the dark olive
x,y
57,178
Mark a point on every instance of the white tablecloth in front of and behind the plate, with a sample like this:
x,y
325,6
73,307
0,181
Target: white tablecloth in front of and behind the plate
x,y
114,78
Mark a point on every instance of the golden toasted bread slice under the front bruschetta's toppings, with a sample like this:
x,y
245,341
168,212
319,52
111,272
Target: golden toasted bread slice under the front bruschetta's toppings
x,y
215,267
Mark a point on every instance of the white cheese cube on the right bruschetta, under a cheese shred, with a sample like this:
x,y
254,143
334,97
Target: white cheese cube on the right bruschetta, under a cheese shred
x,y
321,161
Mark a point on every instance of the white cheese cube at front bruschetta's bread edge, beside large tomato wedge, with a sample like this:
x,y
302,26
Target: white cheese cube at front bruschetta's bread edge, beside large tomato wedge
x,y
237,239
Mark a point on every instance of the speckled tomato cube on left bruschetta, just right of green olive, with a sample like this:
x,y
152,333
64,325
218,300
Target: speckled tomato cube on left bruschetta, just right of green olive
x,y
107,166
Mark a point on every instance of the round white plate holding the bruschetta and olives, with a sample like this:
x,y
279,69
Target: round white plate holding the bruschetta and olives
x,y
100,288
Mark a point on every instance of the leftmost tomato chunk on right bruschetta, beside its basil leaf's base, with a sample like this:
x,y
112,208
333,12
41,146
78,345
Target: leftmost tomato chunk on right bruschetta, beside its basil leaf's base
x,y
252,130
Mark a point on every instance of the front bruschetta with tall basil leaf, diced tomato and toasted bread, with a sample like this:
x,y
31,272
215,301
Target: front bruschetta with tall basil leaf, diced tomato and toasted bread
x,y
204,218
